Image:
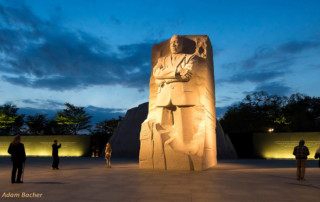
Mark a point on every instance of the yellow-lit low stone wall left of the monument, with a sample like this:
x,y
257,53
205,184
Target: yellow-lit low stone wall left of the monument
x,y
71,145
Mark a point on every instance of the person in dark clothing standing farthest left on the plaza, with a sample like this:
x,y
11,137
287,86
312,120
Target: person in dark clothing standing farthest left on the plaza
x,y
18,157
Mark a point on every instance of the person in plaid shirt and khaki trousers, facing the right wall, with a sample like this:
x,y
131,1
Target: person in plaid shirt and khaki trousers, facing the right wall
x,y
301,152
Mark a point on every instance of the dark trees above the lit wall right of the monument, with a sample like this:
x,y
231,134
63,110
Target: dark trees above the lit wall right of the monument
x,y
259,112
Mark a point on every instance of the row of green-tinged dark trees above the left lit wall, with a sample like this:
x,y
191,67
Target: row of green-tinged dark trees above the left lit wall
x,y
69,121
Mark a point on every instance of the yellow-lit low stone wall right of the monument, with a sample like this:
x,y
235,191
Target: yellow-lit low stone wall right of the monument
x,y
281,145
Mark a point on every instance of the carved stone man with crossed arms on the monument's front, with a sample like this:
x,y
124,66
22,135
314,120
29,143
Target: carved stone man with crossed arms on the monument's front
x,y
176,101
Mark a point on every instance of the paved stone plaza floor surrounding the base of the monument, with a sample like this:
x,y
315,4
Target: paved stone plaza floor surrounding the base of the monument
x,y
87,179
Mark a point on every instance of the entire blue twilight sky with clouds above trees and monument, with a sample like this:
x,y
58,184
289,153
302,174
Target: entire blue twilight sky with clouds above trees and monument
x,y
96,53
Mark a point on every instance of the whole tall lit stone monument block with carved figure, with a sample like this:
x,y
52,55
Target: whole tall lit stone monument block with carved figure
x,y
179,132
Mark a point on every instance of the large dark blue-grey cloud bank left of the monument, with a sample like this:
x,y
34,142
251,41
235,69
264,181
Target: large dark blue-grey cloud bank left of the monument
x,y
41,53
